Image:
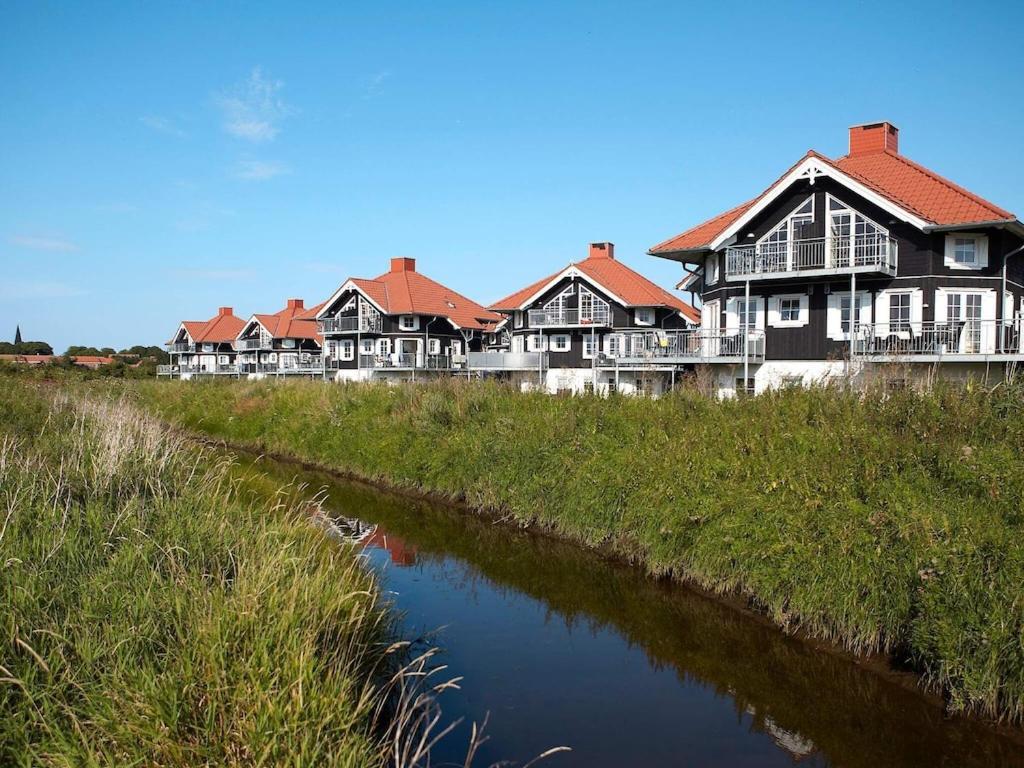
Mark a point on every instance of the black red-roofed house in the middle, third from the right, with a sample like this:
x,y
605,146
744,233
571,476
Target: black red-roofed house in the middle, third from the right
x,y
400,325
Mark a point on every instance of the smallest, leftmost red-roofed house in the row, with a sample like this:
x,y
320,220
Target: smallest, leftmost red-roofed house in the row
x,y
204,348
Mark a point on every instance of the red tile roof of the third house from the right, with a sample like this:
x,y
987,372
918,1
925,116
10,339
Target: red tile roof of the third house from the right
x,y
402,290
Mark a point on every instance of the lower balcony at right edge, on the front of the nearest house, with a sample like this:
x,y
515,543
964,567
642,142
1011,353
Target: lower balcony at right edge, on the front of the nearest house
x,y
965,342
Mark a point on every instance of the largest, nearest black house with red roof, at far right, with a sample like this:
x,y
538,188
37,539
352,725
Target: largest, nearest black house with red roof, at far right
x,y
844,265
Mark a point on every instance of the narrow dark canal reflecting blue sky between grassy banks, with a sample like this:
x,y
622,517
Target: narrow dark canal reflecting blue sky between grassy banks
x,y
563,648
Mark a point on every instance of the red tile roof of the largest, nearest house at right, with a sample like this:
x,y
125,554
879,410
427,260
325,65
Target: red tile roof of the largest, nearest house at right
x,y
907,184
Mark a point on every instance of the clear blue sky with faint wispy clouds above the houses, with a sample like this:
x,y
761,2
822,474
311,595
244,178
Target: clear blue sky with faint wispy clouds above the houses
x,y
158,160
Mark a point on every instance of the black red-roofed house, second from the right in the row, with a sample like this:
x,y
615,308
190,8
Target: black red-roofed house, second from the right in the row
x,y
596,326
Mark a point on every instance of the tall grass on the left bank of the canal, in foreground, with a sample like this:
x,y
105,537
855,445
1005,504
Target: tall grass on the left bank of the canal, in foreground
x,y
152,614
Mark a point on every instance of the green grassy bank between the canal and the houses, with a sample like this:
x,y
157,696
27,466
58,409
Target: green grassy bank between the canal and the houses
x,y
886,522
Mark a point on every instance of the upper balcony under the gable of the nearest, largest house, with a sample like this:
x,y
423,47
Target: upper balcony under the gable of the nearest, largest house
x,y
816,257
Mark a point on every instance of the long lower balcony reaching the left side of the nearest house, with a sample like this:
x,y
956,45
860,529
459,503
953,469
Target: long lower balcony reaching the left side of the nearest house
x,y
691,347
